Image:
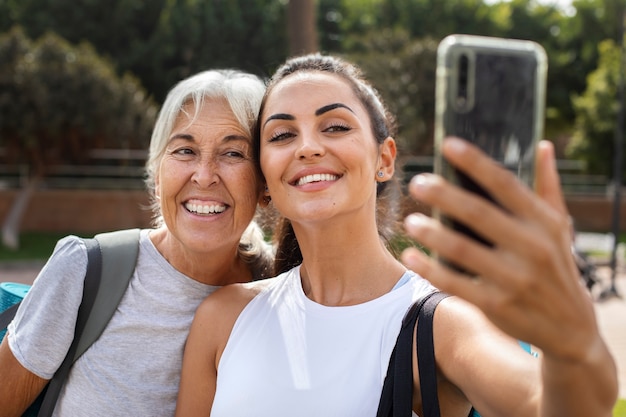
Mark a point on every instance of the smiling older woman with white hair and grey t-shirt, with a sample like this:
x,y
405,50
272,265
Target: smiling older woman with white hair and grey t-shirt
x,y
205,188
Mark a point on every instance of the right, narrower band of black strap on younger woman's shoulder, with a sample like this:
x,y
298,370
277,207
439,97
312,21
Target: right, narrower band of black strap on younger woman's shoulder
x,y
426,356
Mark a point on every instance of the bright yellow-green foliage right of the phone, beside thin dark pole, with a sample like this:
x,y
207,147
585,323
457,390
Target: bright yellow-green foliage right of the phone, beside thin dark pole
x,y
596,112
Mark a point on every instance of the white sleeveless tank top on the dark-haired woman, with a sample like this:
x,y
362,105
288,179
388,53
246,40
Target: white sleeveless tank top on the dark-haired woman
x,y
289,356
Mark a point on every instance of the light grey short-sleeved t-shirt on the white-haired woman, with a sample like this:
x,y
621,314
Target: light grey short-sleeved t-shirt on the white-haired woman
x,y
133,369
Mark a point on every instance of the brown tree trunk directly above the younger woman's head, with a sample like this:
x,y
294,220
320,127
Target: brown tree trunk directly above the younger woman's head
x,y
302,26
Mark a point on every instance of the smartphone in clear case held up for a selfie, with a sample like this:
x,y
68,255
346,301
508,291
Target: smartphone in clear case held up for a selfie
x,y
491,92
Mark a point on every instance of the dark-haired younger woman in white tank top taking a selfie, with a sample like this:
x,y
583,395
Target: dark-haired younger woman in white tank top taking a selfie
x,y
316,340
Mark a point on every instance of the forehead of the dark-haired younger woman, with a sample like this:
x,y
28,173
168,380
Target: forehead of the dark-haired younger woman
x,y
309,90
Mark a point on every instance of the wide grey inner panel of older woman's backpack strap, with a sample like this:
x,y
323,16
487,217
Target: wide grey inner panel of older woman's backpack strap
x,y
119,251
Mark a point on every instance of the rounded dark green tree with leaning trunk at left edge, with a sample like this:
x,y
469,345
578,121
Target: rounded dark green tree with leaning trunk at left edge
x,y
59,101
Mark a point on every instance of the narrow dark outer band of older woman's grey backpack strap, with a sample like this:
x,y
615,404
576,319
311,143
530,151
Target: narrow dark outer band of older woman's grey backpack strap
x,y
90,290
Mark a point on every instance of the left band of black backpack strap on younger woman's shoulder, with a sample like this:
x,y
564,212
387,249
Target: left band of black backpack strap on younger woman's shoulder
x,y
397,394
